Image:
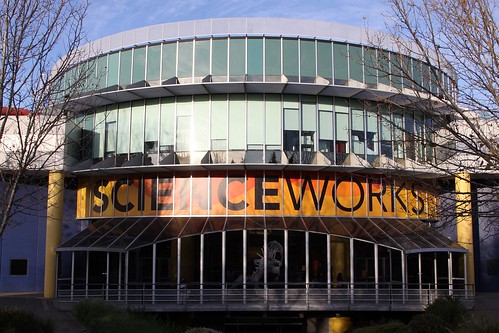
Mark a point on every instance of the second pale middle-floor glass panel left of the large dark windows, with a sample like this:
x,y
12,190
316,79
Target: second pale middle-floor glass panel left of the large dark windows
x,y
256,121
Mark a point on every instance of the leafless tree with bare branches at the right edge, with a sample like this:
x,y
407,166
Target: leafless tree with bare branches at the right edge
x,y
460,38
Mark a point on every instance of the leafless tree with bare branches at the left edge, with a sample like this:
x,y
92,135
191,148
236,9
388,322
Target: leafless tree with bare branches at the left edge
x,y
40,42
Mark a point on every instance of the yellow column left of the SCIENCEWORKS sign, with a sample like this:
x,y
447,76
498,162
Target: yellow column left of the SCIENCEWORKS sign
x,y
55,207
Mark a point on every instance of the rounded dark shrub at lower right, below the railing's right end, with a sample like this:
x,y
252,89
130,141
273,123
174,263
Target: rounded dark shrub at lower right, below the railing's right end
x,y
449,309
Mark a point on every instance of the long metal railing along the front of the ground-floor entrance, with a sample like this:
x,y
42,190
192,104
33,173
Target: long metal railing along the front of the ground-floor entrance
x,y
272,297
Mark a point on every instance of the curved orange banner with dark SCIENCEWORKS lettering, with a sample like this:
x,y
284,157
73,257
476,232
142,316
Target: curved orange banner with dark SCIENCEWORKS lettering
x,y
271,194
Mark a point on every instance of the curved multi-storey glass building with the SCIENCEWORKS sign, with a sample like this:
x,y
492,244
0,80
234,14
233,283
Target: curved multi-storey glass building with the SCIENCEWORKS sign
x,y
251,164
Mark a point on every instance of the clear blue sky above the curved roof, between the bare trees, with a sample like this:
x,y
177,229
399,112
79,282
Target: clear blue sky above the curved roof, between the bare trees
x,y
106,17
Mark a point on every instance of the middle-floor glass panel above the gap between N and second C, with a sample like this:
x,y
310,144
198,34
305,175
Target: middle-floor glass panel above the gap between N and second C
x,y
219,122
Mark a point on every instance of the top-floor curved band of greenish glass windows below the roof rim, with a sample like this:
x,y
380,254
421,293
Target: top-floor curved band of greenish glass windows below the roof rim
x,y
264,59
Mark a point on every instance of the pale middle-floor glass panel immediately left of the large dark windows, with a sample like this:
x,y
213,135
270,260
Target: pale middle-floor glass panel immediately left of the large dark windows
x,y
273,122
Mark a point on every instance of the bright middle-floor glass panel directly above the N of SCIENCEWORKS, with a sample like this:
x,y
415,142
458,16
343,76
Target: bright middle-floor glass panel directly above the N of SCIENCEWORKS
x,y
201,120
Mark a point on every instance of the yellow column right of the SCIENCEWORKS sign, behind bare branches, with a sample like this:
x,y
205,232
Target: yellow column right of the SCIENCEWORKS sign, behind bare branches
x,y
464,221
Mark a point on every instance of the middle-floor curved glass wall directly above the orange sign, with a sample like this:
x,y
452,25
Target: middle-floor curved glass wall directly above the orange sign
x,y
255,128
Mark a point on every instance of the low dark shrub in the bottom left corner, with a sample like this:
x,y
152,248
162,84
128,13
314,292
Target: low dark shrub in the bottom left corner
x,y
20,321
